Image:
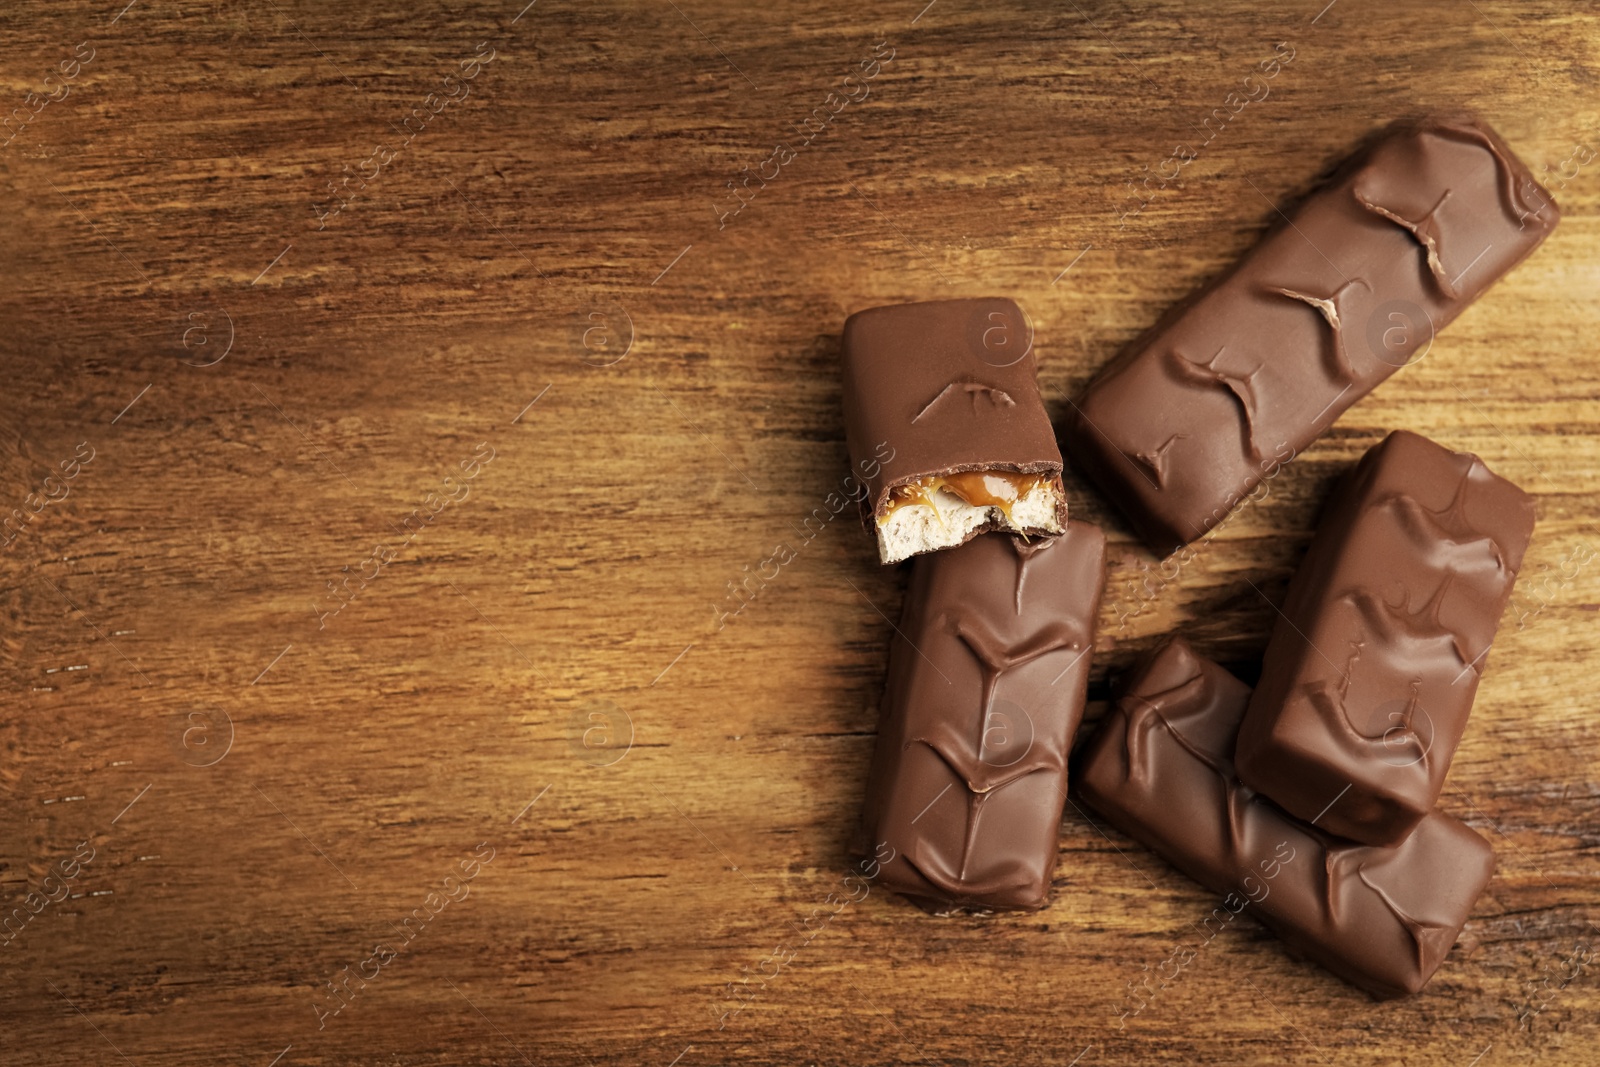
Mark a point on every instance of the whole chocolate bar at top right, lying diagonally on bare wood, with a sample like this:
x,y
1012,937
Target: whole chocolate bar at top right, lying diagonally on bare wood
x,y
1239,378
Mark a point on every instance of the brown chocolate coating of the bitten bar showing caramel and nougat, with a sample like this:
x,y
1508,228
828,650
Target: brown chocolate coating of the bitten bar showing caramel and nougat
x,y
950,386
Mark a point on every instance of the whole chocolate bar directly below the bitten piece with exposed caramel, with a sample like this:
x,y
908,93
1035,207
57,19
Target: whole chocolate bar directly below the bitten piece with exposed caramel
x,y
985,695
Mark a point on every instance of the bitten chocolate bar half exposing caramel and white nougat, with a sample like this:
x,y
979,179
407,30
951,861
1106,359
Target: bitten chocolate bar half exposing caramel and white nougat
x,y
946,426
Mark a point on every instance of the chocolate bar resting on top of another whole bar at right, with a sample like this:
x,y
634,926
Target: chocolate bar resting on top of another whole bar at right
x,y
1377,655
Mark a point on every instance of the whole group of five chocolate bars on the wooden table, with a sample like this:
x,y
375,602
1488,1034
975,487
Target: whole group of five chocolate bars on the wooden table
x,y
1311,801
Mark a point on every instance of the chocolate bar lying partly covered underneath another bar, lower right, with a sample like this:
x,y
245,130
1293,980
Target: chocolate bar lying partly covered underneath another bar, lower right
x,y
1159,770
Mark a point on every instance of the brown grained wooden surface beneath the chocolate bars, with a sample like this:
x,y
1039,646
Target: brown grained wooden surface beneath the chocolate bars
x,y
270,788
